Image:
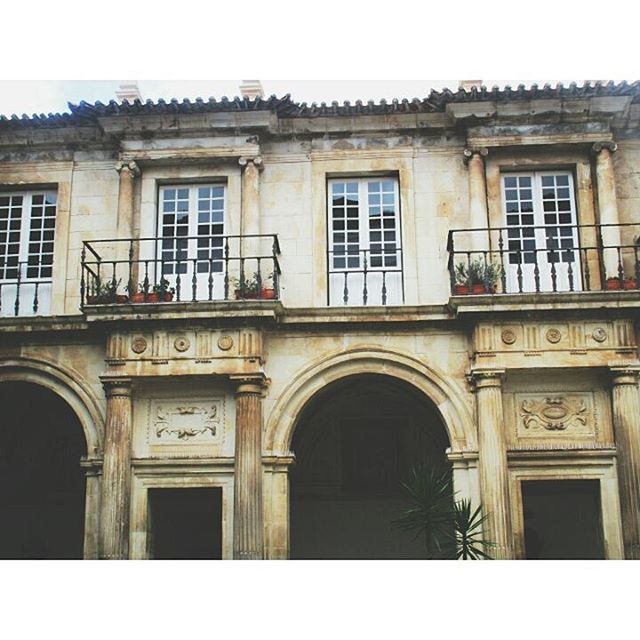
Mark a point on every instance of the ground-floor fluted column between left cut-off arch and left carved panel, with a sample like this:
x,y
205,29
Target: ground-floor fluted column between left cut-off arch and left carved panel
x,y
116,470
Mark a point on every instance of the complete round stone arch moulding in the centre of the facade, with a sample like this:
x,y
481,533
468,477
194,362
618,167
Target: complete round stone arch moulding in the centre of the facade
x,y
448,397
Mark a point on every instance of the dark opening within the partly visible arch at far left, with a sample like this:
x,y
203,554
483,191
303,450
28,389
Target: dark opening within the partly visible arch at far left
x,y
42,486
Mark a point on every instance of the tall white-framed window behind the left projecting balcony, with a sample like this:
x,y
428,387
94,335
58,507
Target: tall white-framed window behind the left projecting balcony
x,y
191,225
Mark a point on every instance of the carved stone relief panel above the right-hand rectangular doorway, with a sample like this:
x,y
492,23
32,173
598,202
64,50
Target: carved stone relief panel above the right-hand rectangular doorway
x,y
550,415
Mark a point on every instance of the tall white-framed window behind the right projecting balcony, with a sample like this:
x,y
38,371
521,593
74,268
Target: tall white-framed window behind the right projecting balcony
x,y
540,216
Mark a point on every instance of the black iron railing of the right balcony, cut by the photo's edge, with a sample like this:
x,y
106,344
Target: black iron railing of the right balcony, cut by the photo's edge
x,y
544,259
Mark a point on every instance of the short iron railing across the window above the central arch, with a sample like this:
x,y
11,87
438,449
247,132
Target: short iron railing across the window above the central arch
x,y
365,277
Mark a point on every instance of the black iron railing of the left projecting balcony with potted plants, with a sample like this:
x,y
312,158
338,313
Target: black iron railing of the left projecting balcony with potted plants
x,y
180,269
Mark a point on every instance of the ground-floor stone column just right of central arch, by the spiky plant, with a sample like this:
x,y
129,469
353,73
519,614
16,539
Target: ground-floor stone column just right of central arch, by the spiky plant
x,y
492,463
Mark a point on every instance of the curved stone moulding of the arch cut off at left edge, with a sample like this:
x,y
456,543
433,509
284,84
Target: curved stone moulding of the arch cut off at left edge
x,y
65,383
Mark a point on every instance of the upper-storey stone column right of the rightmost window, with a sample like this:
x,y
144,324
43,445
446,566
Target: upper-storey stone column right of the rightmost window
x,y
607,205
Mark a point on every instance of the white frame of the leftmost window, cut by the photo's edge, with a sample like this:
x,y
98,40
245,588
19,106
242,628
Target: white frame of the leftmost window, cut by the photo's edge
x,y
27,289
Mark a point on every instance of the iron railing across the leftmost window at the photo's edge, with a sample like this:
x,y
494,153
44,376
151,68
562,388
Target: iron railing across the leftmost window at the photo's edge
x,y
22,291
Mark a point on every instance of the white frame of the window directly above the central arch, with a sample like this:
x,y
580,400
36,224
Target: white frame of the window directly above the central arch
x,y
395,285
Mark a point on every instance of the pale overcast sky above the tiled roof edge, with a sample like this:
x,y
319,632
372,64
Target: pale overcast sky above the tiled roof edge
x,y
51,96
